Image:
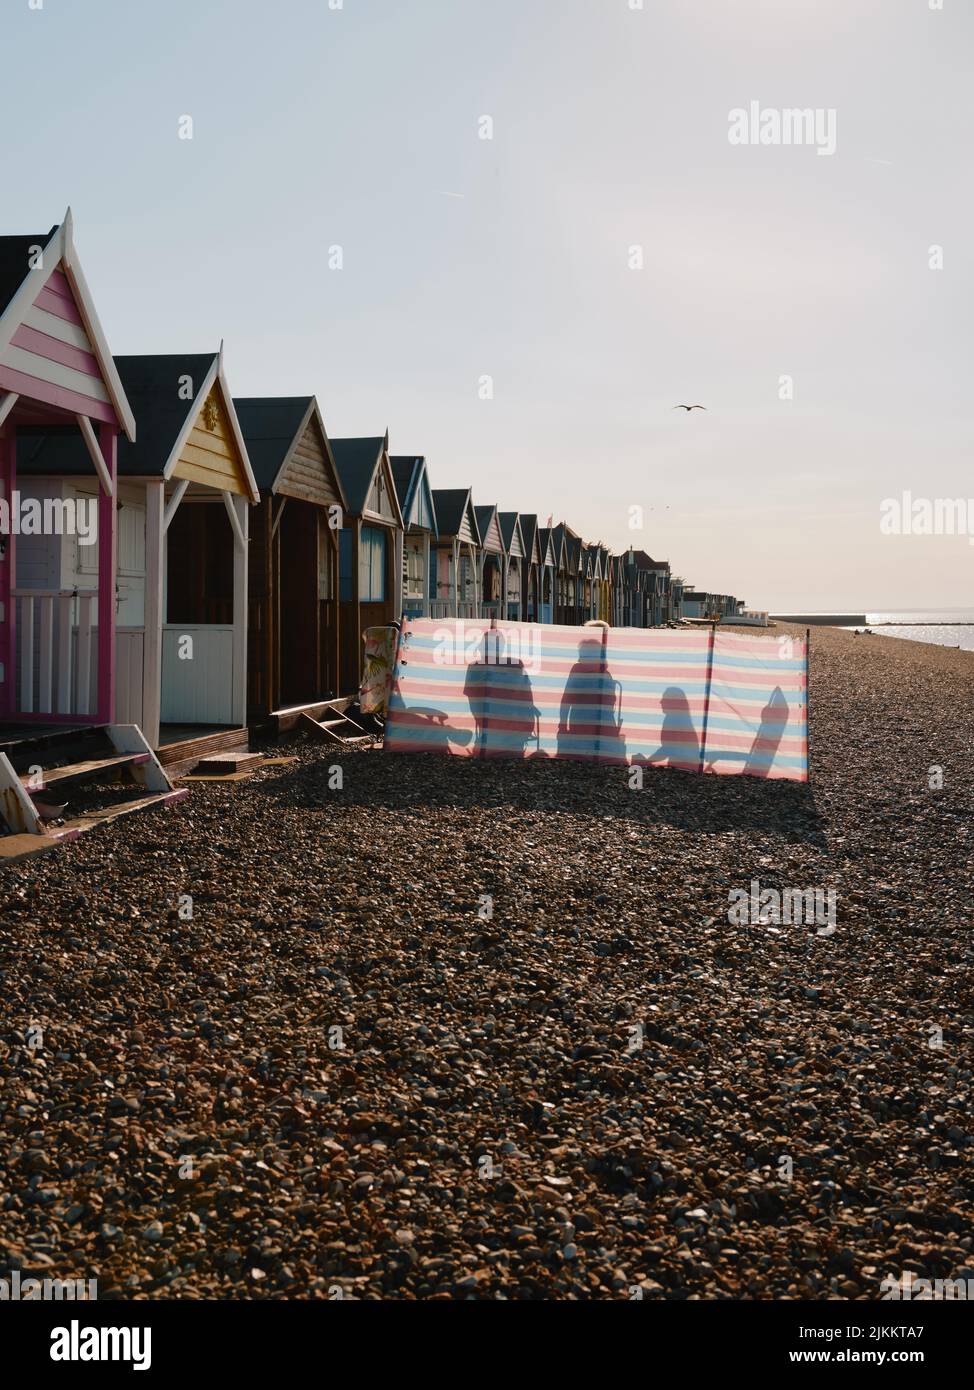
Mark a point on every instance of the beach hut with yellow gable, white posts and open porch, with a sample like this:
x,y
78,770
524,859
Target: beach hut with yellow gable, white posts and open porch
x,y
185,490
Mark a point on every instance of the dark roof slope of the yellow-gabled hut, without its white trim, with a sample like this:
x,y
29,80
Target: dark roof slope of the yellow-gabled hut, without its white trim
x,y
152,387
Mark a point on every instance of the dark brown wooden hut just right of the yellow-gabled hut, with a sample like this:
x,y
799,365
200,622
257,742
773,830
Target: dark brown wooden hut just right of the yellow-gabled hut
x,y
294,619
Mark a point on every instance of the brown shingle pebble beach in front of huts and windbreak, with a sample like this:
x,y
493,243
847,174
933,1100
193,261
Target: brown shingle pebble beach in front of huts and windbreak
x,y
462,1029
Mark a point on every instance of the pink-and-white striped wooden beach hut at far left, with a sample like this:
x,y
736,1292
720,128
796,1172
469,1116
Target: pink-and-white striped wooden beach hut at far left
x,y
58,648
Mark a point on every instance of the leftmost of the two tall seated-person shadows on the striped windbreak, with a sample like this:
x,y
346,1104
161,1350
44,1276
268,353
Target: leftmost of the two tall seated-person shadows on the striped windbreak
x,y
502,704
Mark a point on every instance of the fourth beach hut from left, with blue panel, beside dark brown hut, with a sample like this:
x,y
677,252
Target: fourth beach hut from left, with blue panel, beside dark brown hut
x,y
370,550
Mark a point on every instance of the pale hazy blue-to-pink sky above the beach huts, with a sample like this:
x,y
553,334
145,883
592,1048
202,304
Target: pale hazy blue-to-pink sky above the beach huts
x,y
490,309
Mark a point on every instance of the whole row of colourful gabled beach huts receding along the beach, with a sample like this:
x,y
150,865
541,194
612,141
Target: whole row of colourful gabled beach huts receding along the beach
x,y
195,564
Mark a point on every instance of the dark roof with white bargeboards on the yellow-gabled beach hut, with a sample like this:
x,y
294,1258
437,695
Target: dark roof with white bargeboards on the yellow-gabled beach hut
x,y
167,394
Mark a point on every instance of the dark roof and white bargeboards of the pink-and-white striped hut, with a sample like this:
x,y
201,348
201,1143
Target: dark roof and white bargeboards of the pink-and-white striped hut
x,y
20,288
